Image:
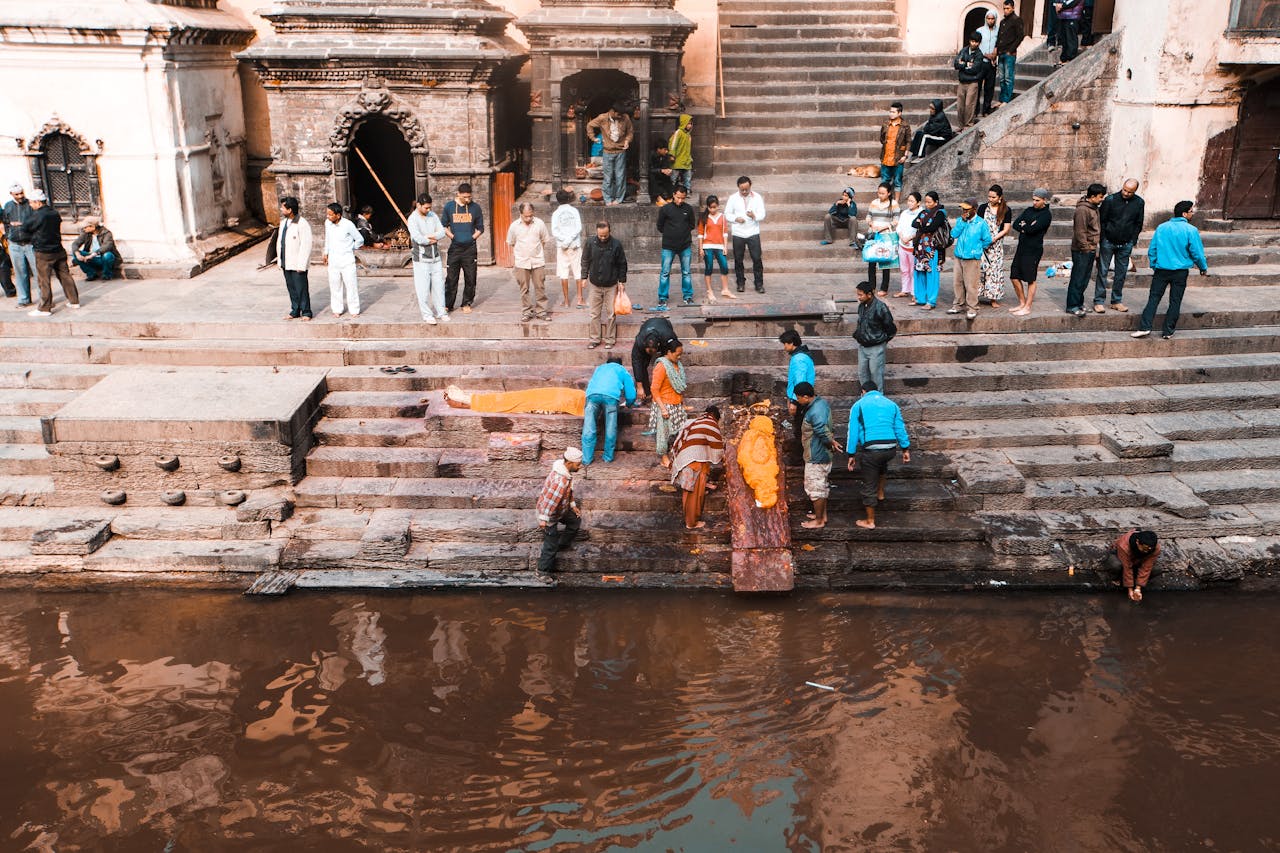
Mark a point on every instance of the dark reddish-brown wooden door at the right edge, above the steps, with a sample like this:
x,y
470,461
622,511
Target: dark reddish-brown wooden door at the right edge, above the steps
x,y
1252,185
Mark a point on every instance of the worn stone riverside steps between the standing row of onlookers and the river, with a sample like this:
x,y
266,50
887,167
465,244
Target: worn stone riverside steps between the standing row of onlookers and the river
x,y
1035,443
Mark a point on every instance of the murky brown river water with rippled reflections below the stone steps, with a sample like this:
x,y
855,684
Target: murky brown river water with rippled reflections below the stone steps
x,y
668,722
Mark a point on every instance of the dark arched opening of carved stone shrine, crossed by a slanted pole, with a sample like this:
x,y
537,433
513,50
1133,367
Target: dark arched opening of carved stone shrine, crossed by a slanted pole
x,y
391,157
